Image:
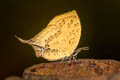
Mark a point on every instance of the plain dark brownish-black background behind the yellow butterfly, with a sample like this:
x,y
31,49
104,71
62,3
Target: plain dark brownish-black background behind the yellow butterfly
x,y
25,18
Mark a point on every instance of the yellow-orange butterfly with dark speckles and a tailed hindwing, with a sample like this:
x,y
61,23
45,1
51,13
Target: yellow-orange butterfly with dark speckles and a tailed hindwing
x,y
59,39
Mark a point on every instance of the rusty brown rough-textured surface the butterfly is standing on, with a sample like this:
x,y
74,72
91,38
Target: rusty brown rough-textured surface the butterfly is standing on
x,y
82,69
